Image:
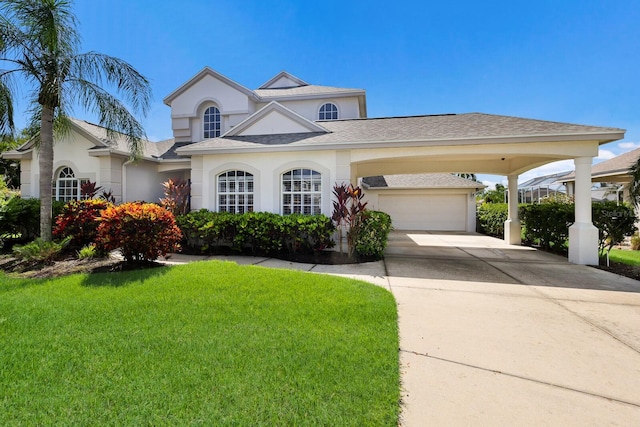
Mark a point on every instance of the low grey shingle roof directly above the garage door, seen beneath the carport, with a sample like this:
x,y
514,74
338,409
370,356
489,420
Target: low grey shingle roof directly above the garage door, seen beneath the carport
x,y
423,180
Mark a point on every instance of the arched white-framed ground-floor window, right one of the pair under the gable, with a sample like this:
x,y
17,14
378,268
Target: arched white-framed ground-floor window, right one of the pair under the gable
x,y
302,192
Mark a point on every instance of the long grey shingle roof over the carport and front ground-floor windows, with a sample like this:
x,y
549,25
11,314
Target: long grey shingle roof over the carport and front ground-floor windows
x,y
446,129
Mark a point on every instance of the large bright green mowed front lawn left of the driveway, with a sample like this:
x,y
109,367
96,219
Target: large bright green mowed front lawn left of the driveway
x,y
208,343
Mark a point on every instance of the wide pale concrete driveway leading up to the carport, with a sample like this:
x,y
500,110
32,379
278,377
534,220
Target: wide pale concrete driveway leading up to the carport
x,y
492,334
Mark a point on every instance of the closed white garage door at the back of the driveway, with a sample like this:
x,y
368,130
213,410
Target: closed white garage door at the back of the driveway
x,y
446,212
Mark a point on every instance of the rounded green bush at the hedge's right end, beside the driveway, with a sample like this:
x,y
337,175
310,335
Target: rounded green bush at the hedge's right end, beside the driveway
x,y
371,234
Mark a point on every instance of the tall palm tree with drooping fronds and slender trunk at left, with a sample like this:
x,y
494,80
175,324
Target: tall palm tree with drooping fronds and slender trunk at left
x,y
39,44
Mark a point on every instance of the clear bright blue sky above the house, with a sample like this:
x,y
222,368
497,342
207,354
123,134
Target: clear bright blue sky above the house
x,y
572,61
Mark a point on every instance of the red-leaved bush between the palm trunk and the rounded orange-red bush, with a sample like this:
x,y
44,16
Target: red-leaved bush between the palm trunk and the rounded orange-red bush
x,y
78,219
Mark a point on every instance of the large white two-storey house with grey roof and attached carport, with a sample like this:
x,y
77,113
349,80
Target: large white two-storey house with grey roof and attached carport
x,y
282,147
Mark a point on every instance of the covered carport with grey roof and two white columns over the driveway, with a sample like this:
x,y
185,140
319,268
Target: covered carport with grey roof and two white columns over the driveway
x,y
488,144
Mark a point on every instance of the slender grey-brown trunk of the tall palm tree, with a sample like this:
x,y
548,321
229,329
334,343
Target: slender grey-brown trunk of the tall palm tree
x,y
46,172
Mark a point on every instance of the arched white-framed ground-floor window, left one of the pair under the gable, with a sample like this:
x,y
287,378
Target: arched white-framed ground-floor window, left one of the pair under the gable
x,y
235,192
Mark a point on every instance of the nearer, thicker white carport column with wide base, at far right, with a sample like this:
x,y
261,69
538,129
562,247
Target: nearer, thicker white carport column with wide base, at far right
x,y
583,235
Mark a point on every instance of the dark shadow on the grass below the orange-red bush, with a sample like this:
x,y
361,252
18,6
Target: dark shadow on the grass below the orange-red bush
x,y
126,273
